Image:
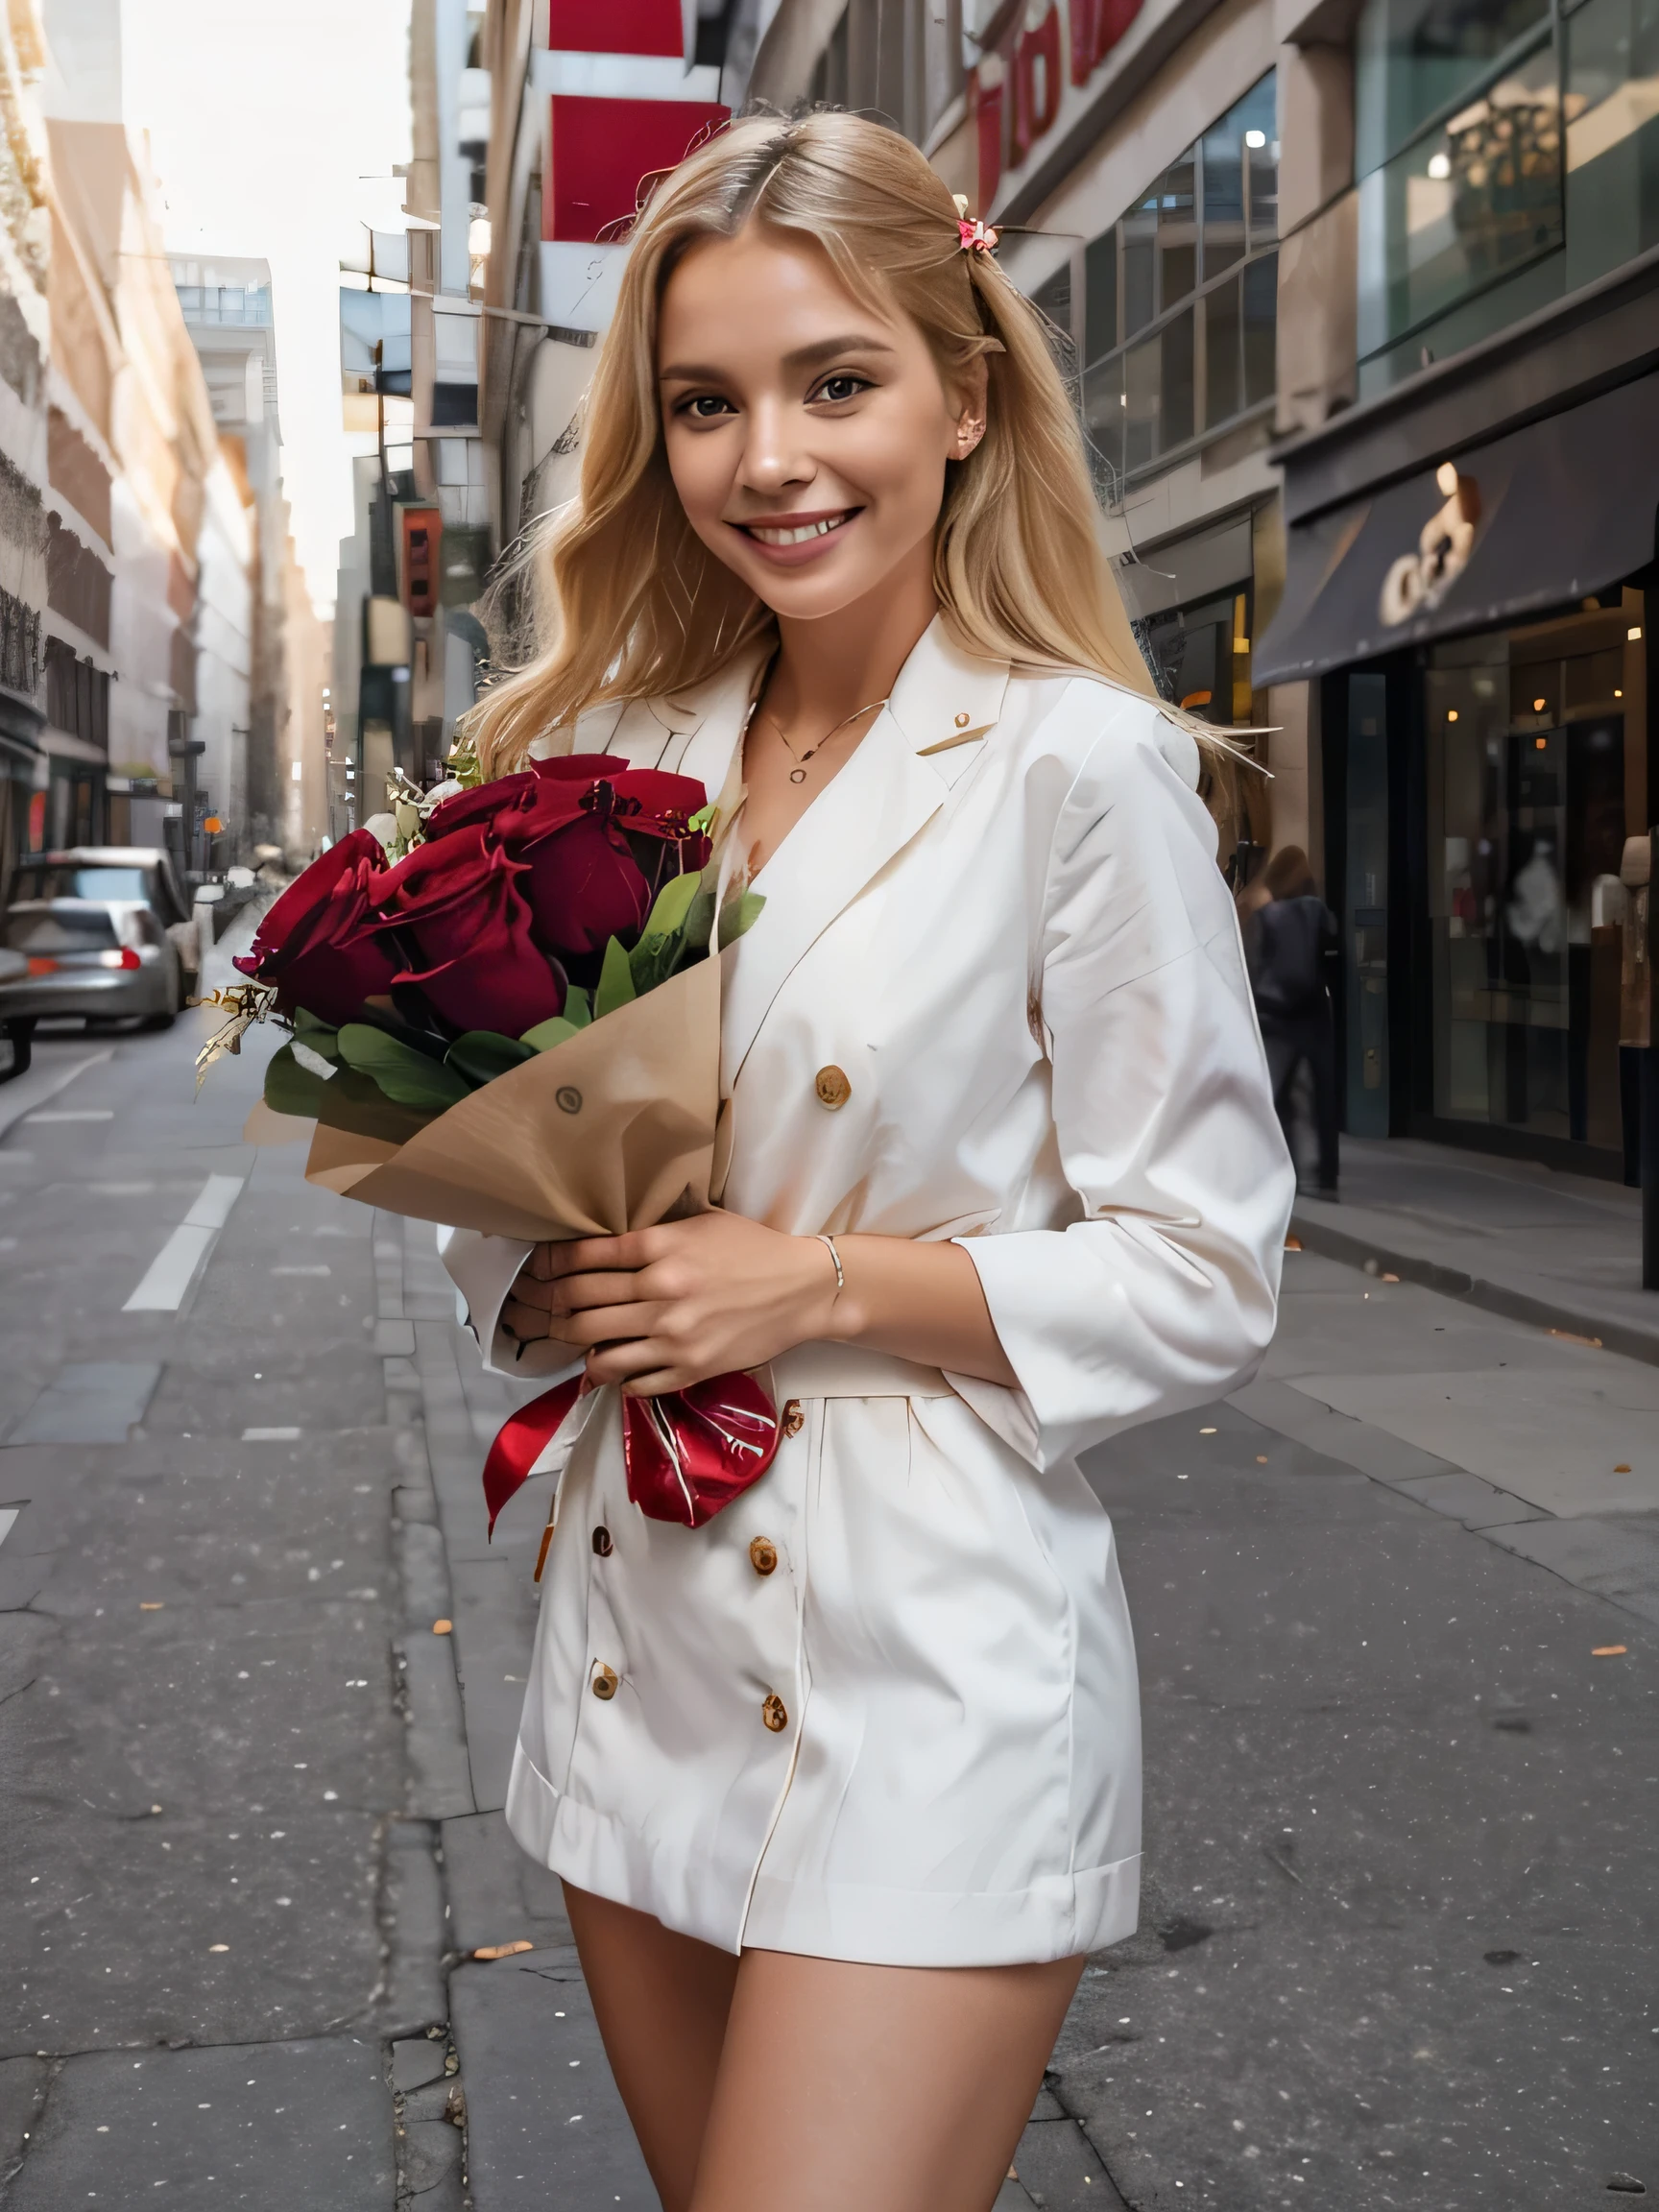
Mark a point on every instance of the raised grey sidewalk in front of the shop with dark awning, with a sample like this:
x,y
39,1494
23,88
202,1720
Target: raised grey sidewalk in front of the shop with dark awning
x,y
1556,1251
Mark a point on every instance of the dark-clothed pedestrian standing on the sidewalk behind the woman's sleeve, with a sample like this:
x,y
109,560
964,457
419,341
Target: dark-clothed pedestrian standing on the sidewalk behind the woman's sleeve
x,y
1286,946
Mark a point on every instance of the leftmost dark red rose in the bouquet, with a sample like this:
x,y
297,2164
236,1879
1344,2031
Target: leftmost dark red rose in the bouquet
x,y
322,943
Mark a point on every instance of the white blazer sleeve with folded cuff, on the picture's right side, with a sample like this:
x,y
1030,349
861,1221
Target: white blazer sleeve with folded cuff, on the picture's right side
x,y
1162,1293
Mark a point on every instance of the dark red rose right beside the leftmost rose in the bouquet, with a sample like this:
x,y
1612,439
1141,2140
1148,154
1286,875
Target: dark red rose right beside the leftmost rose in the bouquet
x,y
461,912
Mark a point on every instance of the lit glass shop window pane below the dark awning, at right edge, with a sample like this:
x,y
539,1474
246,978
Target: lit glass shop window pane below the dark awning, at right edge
x,y
1536,778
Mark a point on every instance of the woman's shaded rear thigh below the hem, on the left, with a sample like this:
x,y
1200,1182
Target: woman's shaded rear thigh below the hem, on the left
x,y
662,2005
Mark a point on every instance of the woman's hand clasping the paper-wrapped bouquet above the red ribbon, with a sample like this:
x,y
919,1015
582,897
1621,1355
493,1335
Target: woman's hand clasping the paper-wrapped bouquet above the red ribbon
x,y
665,1308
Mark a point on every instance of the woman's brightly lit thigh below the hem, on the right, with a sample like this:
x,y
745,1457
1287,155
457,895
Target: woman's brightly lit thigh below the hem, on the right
x,y
895,2089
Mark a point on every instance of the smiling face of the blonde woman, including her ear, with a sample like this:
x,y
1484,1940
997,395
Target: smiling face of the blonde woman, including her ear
x,y
806,430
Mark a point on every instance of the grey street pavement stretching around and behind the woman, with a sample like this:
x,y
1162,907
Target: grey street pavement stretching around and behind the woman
x,y
260,1680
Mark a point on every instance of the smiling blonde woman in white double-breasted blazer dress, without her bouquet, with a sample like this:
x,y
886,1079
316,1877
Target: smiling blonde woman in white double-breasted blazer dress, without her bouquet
x,y
846,1784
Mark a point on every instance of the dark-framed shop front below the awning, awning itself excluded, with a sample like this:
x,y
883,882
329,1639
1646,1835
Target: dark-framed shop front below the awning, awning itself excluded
x,y
1485,800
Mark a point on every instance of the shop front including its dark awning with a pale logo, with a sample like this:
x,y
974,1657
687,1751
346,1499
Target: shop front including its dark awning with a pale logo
x,y
1488,782
